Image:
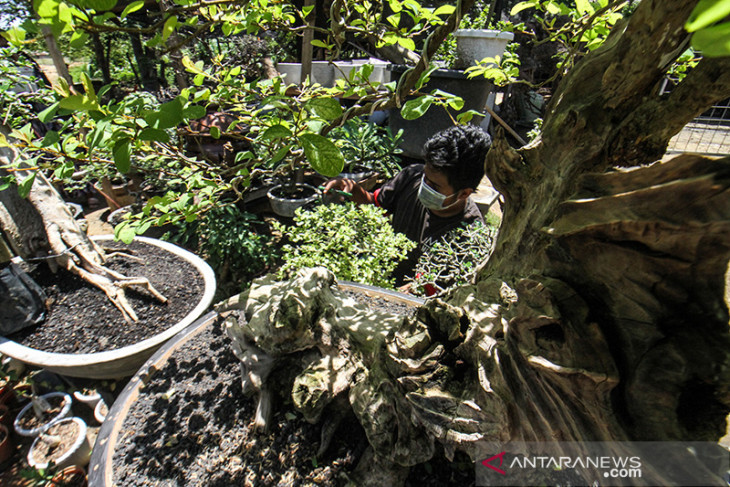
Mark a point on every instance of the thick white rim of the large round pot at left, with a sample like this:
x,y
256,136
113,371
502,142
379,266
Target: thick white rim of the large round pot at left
x,y
73,364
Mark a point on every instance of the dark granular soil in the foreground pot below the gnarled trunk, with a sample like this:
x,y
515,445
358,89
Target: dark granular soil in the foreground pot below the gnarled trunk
x,y
191,425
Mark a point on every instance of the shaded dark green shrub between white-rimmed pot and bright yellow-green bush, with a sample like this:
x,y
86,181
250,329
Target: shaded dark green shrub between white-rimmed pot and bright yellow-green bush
x,y
230,241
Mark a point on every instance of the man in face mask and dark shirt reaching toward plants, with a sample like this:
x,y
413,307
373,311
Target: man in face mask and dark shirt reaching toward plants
x,y
427,200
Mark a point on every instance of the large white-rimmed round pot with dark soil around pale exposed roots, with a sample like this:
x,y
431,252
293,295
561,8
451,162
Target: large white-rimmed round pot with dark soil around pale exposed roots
x,y
85,335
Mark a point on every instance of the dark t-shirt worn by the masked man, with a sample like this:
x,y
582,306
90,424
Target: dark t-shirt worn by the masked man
x,y
399,197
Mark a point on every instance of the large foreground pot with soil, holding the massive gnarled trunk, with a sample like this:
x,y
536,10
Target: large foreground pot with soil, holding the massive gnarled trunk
x,y
215,441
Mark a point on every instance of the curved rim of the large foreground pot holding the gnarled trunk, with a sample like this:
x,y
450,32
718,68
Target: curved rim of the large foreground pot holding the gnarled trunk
x,y
100,471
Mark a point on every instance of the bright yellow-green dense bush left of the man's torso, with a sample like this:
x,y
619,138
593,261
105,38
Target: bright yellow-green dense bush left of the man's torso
x,y
355,242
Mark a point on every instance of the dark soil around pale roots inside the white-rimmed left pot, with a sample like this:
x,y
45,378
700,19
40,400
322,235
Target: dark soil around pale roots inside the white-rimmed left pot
x,y
81,319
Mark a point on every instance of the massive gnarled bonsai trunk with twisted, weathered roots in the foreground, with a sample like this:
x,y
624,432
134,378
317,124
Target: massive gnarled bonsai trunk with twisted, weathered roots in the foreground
x,y
600,316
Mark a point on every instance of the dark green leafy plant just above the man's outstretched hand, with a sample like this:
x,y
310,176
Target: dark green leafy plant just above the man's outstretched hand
x,y
365,145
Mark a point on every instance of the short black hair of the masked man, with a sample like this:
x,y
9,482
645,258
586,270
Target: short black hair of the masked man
x,y
459,152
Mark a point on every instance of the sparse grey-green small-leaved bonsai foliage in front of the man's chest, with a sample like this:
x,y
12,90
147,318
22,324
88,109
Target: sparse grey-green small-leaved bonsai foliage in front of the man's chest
x,y
451,261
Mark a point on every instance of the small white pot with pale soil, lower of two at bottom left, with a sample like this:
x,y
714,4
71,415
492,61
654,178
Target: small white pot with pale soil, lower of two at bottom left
x,y
65,443
